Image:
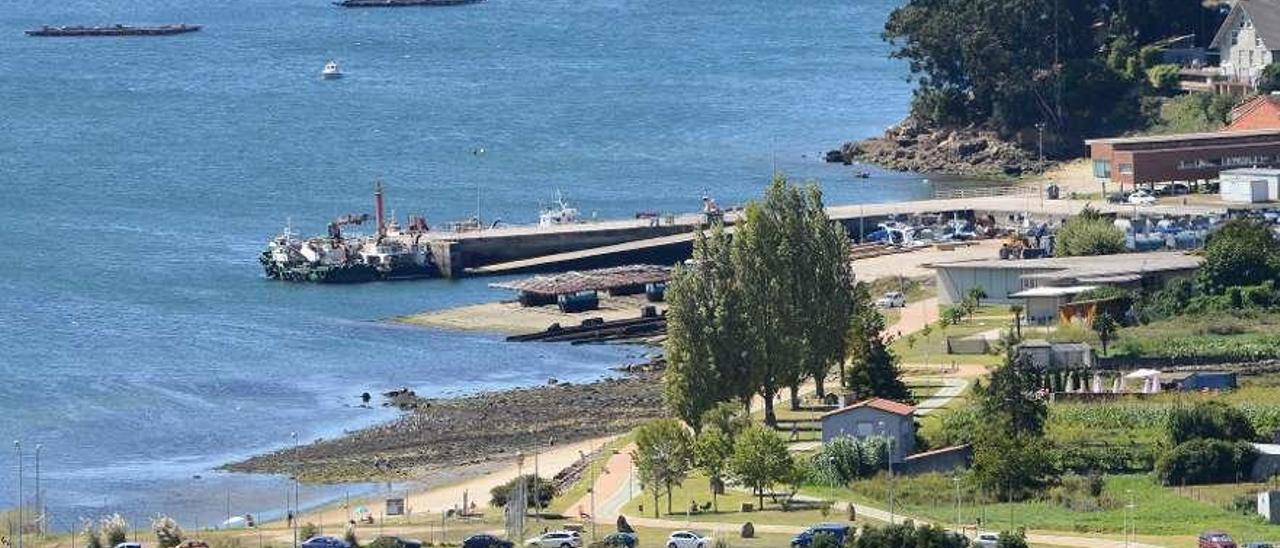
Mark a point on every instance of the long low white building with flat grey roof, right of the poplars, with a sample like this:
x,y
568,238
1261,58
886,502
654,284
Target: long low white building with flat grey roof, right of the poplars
x,y
1057,280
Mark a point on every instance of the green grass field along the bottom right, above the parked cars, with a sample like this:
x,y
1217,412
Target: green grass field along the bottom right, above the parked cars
x,y
1159,512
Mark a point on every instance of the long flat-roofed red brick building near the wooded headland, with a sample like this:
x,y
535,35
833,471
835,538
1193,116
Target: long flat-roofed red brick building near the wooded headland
x,y
1185,157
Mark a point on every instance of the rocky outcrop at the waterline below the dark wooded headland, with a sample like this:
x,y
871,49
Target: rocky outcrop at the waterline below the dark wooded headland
x,y
915,147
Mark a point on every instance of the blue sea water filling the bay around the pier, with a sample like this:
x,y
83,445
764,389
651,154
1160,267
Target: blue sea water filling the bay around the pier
x,y
140,177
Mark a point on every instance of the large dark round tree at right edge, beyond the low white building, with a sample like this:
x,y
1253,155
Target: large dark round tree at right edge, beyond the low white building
x,y
1241,253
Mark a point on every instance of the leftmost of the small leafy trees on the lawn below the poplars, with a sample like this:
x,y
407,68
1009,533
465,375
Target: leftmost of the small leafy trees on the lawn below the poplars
x,y
664,458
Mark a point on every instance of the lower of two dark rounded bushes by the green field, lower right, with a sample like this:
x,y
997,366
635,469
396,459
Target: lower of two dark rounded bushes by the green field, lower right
x,y
1204,462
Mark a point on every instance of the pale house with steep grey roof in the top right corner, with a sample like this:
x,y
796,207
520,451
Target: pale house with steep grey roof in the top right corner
x,y
1249,40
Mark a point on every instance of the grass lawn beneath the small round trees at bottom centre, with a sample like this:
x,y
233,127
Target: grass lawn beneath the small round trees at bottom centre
x,y
696,490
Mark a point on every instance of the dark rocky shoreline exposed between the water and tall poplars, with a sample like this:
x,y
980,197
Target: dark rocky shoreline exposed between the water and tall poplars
x,y
437,435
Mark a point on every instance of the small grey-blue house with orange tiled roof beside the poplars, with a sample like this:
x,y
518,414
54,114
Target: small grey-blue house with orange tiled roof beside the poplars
x,y
875,418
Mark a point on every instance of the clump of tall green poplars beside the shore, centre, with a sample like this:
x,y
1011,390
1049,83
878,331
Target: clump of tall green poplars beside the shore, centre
x,y
770,307
